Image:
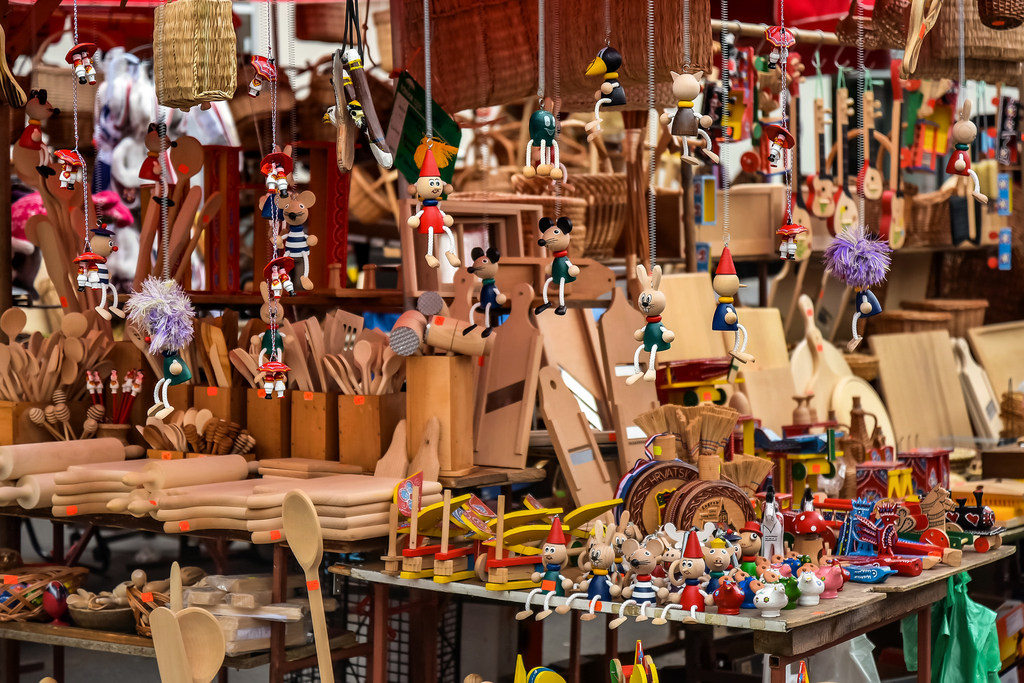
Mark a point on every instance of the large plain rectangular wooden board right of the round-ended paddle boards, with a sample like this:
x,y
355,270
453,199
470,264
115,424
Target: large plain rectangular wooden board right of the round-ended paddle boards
x,y
919,380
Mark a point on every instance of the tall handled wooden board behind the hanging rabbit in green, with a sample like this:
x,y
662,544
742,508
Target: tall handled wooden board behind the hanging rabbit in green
x,y
627,402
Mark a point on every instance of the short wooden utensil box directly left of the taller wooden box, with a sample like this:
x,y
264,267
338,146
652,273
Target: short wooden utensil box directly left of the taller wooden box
x,y
366,425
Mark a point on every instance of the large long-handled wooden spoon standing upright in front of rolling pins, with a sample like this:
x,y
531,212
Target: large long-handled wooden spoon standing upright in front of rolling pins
x,y
307,541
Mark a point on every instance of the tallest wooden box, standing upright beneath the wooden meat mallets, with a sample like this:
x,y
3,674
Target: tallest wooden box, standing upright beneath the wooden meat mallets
x,y
443,387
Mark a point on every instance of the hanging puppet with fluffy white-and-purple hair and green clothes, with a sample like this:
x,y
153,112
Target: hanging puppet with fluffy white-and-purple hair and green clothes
x,y
164,315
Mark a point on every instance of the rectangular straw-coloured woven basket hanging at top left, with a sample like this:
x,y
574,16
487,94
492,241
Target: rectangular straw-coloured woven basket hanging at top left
x,y
194,53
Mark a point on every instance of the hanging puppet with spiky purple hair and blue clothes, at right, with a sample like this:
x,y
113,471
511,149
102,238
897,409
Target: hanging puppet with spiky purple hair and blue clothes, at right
x,y
862,263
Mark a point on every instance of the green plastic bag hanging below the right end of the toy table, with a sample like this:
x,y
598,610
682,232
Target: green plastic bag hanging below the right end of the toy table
x,y
965,643
